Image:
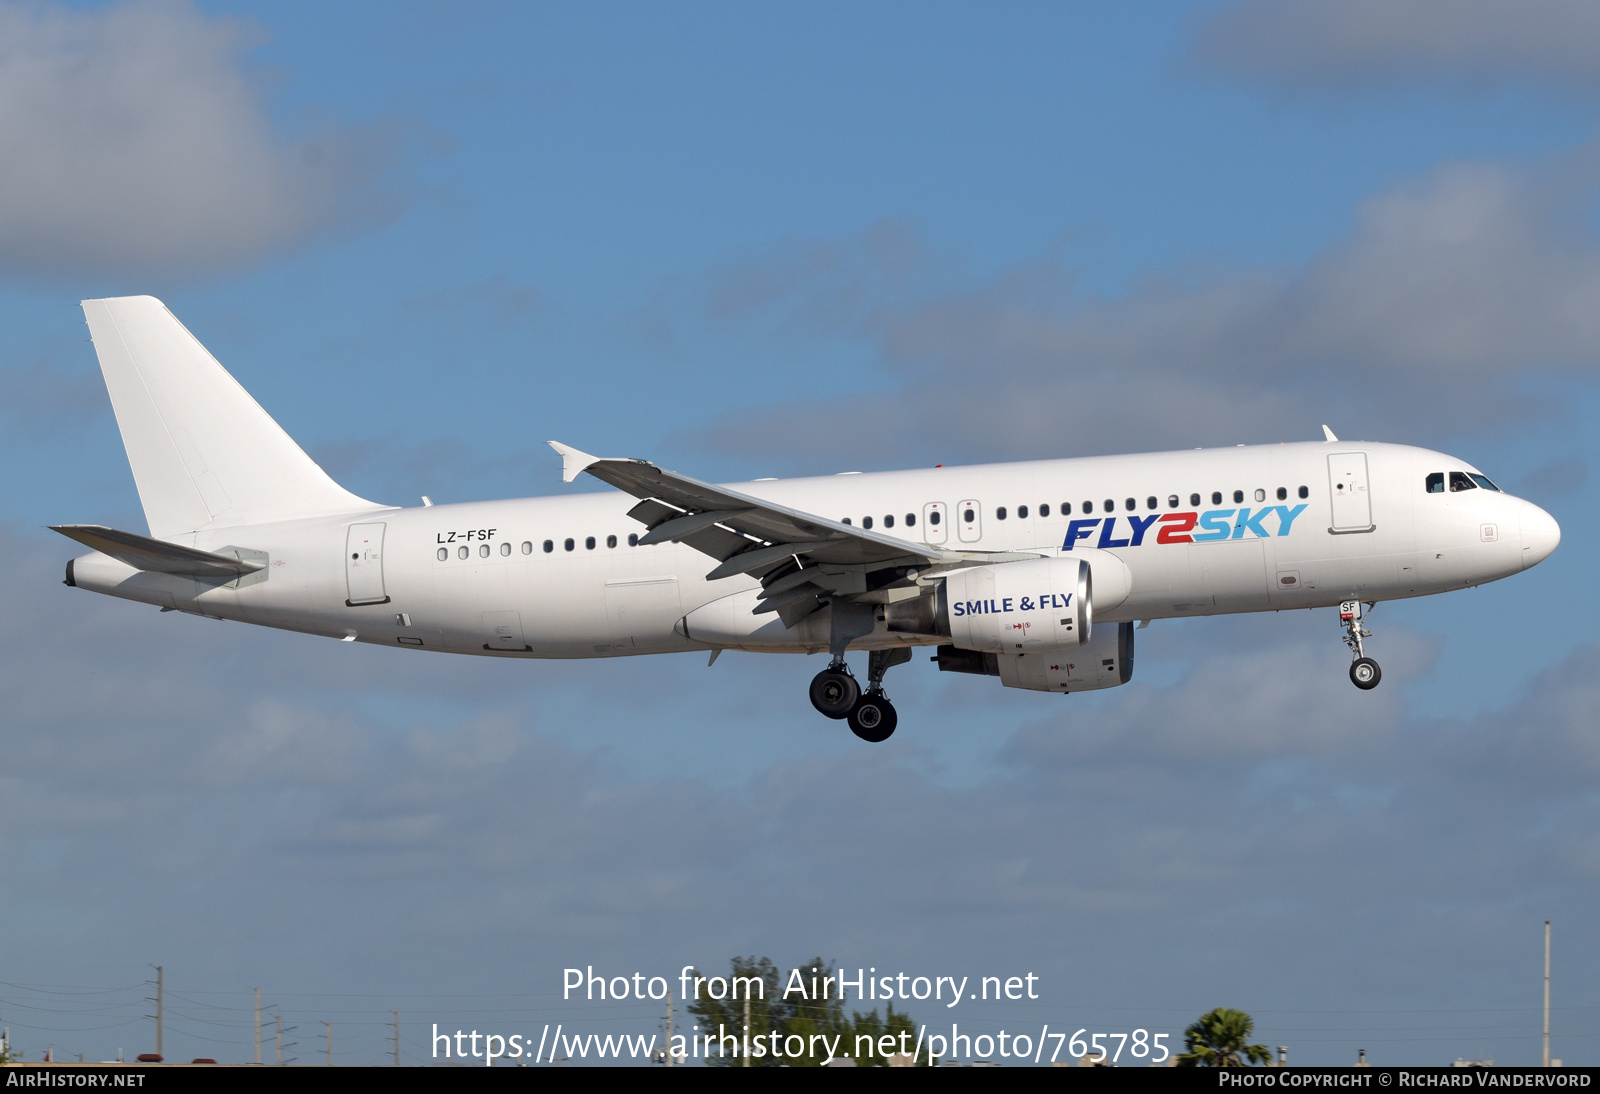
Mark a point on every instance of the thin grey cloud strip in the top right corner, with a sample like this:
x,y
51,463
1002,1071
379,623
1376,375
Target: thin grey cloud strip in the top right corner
x,y
1345,44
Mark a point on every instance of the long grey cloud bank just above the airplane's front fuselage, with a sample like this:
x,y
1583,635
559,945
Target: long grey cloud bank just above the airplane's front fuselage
x,y
1417,325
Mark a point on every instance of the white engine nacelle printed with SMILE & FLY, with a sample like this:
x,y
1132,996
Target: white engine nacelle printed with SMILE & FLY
x,y
1042,604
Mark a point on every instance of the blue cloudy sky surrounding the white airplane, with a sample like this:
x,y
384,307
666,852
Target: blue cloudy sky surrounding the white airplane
x,y
786,241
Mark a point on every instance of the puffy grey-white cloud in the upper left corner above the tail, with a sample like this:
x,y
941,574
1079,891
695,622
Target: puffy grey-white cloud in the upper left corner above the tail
x,y
134,145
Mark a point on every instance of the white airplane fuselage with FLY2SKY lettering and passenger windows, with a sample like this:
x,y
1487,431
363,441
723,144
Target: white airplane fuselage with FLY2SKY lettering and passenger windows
x,y
1314,525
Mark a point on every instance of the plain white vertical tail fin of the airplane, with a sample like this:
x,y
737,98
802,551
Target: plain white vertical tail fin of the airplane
x,y
202,450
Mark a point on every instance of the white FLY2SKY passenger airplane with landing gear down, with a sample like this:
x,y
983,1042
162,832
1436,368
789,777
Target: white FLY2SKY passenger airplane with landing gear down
x,y
1030,572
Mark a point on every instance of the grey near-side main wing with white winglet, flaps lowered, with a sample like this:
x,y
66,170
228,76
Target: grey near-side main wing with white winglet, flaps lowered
x,y
798,556
